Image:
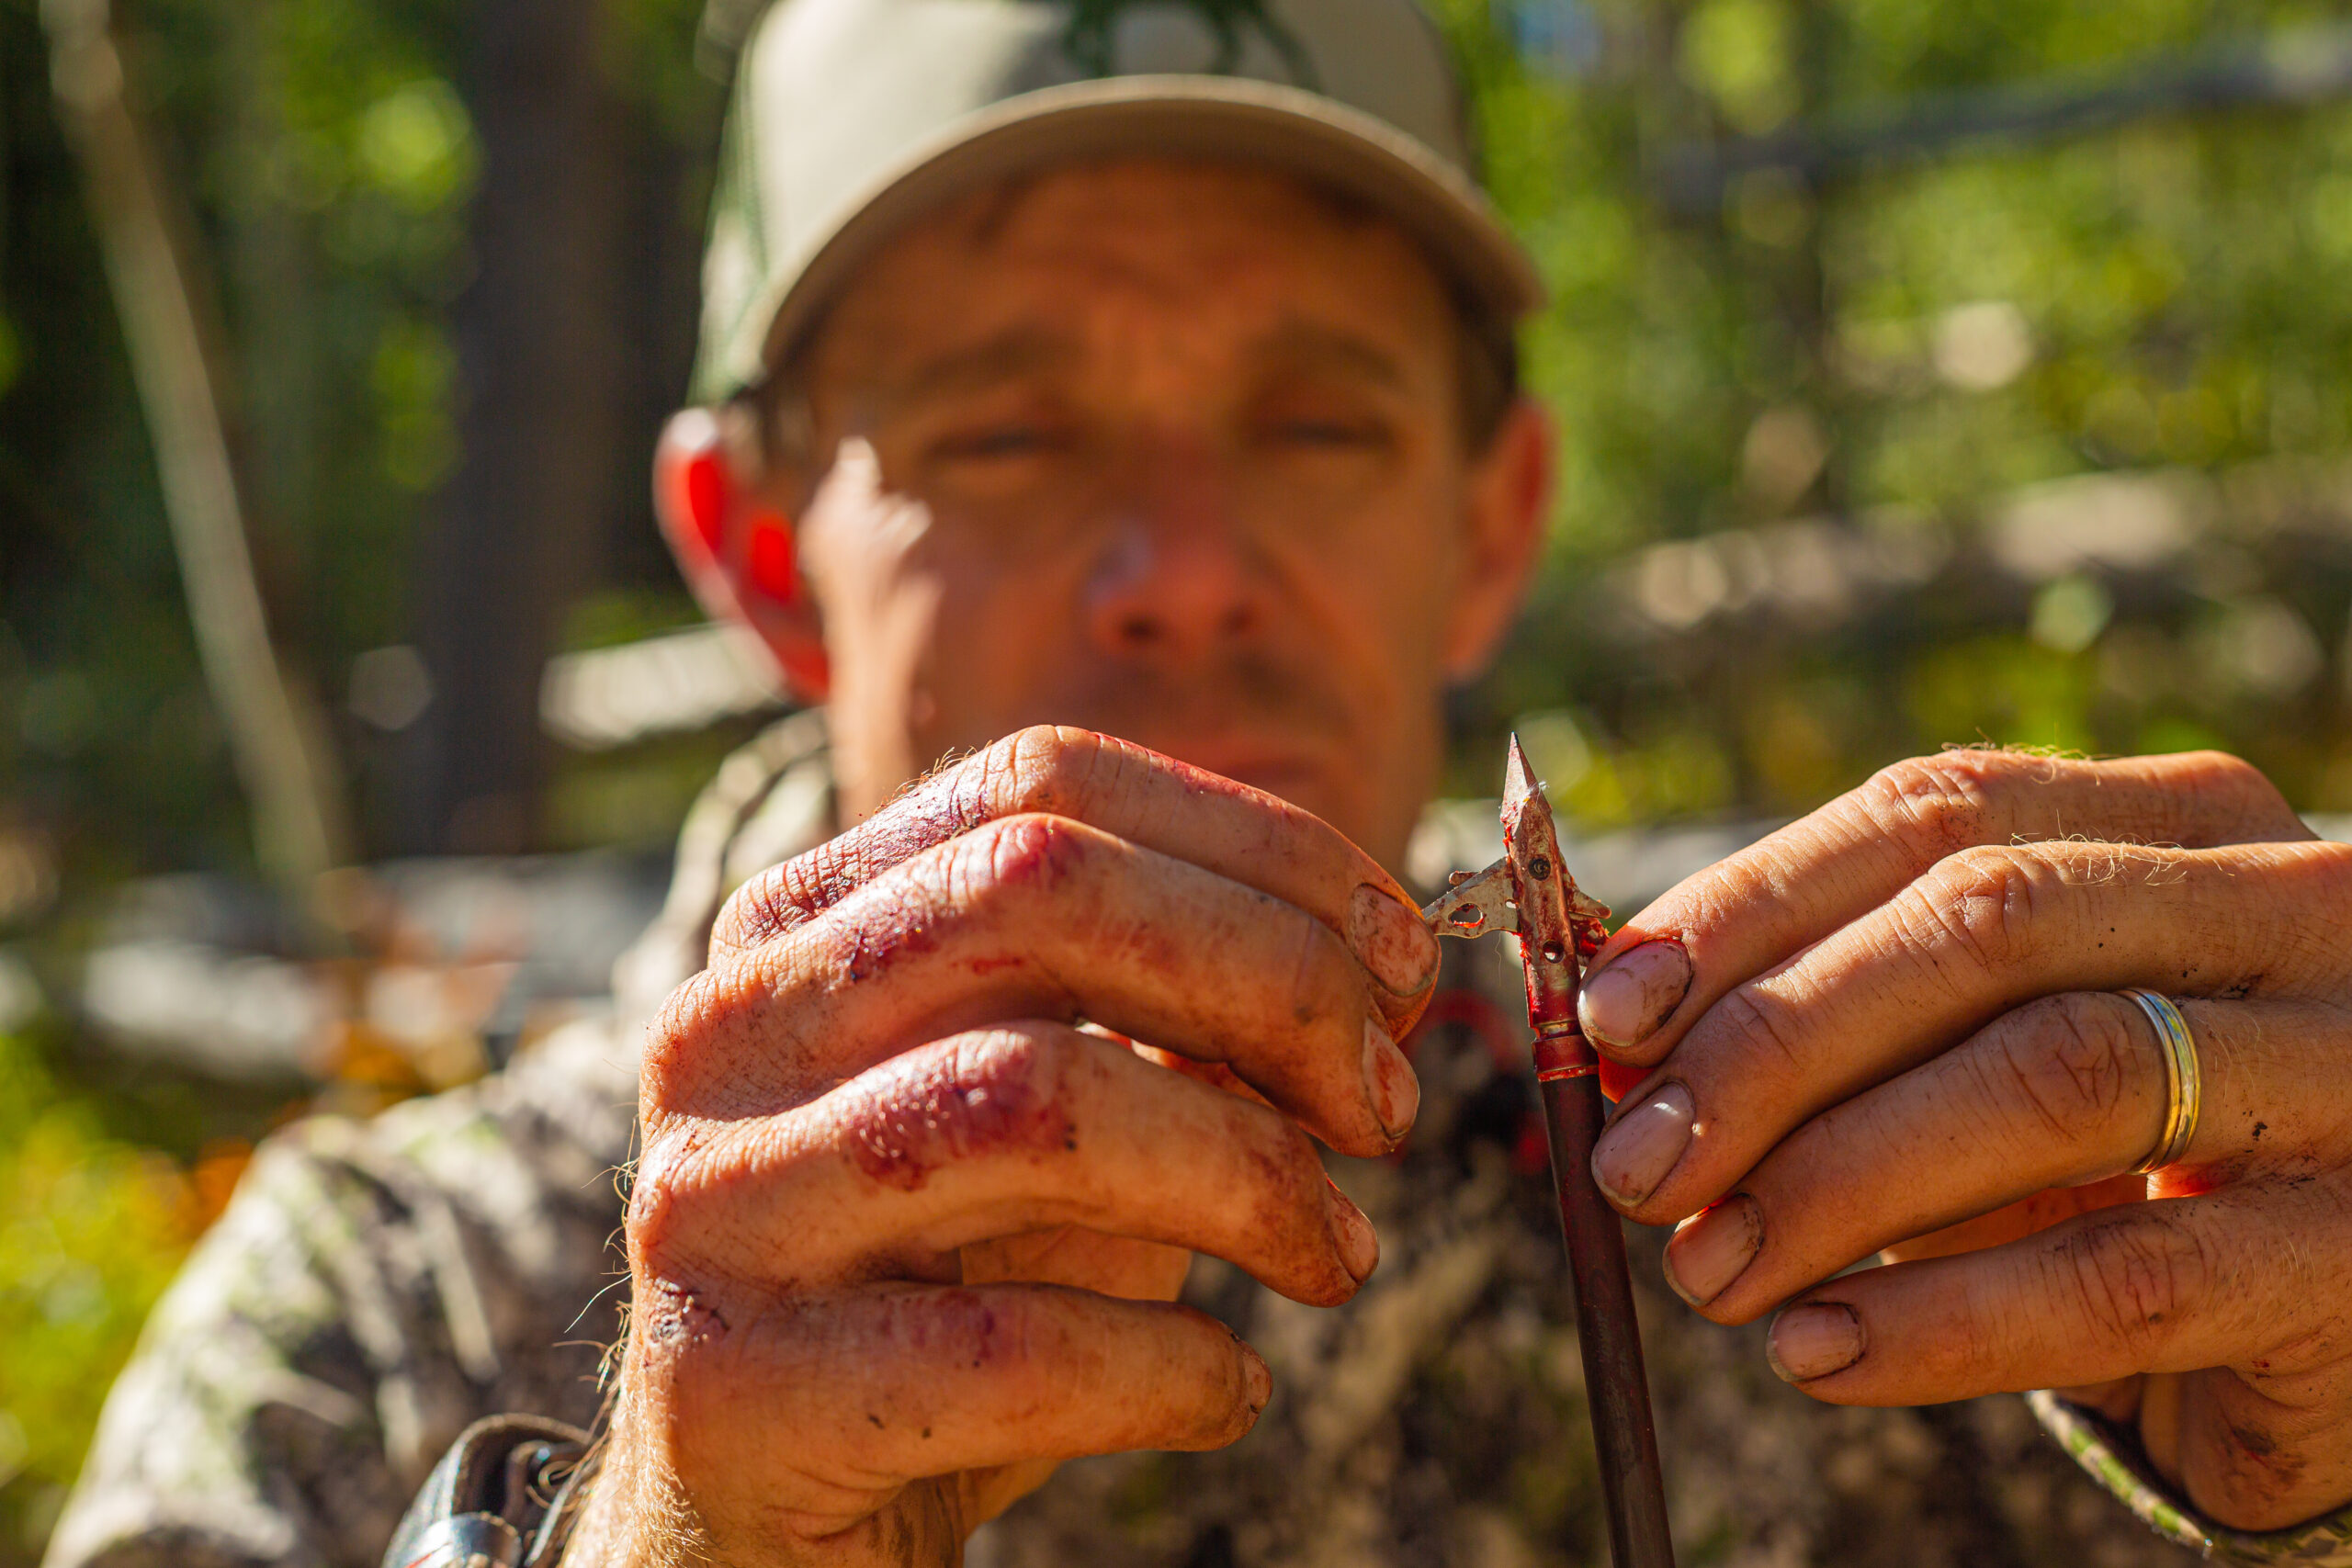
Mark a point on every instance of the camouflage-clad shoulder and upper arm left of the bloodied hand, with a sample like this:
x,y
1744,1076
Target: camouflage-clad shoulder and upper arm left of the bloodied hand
x,y
373,1289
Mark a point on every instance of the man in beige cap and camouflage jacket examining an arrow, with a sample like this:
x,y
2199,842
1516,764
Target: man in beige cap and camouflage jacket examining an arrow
x,y
1147,375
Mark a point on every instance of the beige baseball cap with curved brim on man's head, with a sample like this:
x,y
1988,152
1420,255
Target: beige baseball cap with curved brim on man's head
x,y
855,116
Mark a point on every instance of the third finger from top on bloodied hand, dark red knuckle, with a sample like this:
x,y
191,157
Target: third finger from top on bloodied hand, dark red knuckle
x,y
998,1134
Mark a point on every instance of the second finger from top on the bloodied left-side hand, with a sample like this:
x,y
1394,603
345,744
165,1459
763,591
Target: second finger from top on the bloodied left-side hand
x,y
1043,918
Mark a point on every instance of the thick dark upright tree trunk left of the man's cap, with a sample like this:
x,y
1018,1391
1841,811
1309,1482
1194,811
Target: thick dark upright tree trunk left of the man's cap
x,y
542,415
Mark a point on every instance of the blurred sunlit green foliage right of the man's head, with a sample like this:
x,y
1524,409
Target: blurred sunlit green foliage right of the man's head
x,y
1904,351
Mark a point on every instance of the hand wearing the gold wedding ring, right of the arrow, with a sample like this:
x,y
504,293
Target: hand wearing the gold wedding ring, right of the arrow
x,y
1895,1028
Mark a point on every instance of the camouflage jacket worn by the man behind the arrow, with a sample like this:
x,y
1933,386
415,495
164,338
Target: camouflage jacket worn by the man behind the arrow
x,y
377,1287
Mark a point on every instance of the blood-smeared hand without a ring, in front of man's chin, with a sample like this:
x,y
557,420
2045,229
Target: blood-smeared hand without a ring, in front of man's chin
x,y
909,1221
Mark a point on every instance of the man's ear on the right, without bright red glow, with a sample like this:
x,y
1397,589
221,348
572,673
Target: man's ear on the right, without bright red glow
x,y
1509,507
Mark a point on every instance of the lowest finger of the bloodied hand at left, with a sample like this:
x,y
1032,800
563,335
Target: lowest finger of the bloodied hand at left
x,y
886,1386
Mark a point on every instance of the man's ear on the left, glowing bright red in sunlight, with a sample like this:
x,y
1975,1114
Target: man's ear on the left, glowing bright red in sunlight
x,y
735,547
